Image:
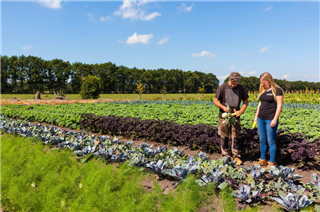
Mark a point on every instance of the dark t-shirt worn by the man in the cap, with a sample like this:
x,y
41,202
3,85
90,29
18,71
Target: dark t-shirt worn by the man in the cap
x,y
231,96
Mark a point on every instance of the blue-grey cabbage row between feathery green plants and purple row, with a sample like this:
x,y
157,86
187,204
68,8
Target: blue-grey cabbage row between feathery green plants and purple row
x,y
251,185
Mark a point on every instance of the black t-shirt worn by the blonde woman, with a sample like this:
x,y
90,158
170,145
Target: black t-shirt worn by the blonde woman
x,y
268,105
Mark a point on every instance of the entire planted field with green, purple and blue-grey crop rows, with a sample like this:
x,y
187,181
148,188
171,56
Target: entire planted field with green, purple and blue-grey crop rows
x,y
196,182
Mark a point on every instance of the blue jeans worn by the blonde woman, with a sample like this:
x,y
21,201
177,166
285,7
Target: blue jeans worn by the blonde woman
x,y
267,133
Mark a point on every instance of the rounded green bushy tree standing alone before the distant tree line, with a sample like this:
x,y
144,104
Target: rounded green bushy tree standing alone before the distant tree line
x,y
90,88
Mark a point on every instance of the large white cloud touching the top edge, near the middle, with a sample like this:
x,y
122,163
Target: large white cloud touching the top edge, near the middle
x,y
133,10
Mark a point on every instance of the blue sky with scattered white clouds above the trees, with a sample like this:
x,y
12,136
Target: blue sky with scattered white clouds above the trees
x,y
279,37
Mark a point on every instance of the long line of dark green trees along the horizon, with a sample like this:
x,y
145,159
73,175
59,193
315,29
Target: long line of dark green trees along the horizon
x,y
28,74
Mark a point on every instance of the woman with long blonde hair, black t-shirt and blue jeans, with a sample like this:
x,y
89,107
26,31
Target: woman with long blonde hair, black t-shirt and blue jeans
x,y
267,117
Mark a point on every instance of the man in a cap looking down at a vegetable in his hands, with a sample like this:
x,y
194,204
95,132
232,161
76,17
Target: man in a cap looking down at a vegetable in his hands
x,y
231,93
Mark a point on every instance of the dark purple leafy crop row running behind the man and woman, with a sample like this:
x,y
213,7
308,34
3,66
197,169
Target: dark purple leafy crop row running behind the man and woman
x,y
291,146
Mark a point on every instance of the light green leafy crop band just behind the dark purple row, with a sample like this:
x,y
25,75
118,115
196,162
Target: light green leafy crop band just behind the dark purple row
x,y
300,120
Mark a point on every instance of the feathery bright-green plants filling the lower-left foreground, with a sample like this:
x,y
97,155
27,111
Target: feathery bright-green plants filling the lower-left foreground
x,y
36,179
